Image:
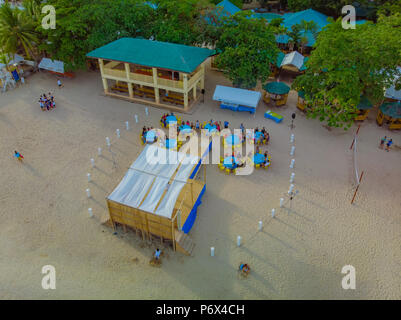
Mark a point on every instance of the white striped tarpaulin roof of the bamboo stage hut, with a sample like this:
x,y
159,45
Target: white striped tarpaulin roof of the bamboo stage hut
x,y
147,174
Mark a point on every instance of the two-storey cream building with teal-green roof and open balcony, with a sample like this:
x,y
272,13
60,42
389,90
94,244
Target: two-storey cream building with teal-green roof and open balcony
x,y
153,72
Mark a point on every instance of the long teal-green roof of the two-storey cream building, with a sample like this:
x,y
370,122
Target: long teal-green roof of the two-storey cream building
x,y
156,54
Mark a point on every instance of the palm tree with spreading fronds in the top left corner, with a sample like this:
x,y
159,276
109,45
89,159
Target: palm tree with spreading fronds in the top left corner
x,y
17,31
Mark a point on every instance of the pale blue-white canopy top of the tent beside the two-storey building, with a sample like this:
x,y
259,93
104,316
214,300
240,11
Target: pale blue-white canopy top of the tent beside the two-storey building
x,y
237,96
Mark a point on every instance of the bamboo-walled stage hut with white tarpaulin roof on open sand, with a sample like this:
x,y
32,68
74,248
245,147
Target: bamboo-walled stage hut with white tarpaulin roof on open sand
x,y
159,195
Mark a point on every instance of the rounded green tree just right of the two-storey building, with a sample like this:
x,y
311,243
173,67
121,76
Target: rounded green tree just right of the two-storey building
x,y
248,50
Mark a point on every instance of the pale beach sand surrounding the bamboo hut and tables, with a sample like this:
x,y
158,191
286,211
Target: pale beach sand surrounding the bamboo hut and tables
x,y
298,255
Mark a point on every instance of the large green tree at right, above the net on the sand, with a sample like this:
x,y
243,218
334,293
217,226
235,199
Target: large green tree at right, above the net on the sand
x,y
348,63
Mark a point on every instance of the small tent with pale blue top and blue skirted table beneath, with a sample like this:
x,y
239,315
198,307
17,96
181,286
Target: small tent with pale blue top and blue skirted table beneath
x,y
236,99
